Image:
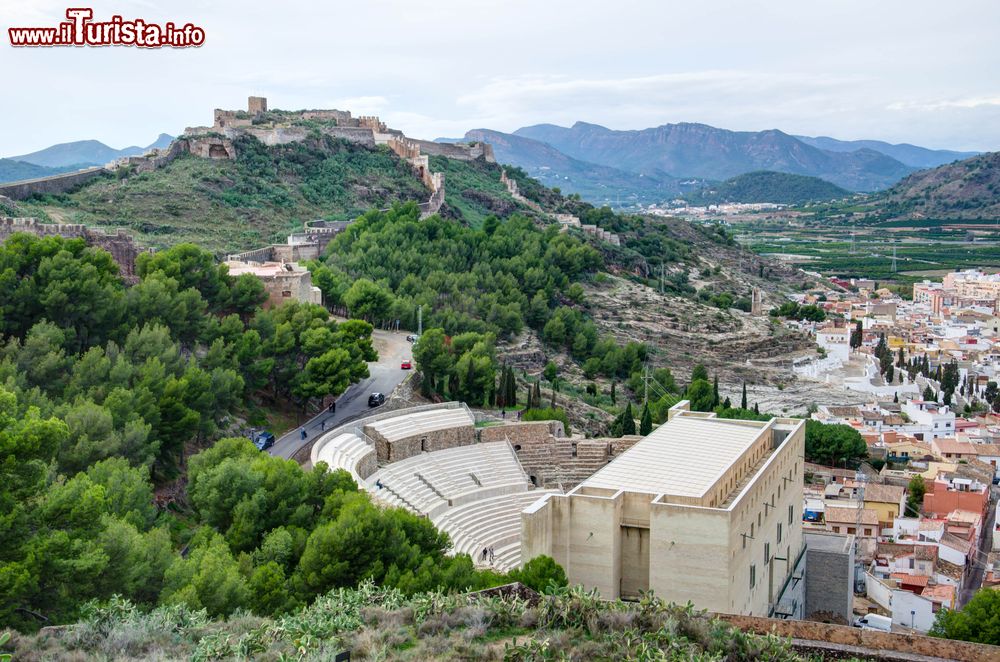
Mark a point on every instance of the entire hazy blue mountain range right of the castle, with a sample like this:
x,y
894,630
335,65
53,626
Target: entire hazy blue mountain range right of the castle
x,y
605,165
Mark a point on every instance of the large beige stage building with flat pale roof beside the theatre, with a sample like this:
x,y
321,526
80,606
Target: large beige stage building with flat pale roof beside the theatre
x,y
702,509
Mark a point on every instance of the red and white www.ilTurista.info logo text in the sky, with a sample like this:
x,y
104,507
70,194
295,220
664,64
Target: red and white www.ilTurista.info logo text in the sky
x,y
80,29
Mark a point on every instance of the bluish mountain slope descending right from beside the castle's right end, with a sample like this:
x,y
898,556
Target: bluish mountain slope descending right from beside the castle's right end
x,y
595,183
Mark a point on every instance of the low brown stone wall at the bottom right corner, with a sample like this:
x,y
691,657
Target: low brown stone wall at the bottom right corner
x,y
878,644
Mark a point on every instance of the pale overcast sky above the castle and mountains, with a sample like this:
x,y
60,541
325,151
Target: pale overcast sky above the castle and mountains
x,y
919,71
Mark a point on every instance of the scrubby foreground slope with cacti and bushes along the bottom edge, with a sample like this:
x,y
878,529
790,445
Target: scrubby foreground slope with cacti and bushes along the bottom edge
x,y
377,624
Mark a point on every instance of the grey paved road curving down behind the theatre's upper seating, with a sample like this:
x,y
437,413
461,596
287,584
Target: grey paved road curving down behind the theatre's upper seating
x,y
385,376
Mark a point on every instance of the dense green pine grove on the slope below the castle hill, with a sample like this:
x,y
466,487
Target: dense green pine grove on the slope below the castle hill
x,y
388,264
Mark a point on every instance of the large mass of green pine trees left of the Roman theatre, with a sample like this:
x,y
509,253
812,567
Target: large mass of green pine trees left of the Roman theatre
x,y
102,389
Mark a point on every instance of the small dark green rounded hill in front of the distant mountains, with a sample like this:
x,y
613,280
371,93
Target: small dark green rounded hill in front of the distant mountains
x,y
767,186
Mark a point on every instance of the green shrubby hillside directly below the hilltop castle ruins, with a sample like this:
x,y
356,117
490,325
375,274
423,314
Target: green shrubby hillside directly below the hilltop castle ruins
x,y
230,206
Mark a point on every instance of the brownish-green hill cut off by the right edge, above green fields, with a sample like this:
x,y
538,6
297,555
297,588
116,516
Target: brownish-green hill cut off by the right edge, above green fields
x,y
966,189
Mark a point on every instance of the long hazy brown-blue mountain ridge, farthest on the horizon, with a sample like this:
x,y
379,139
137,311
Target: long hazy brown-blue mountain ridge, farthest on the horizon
x,y
698,150
